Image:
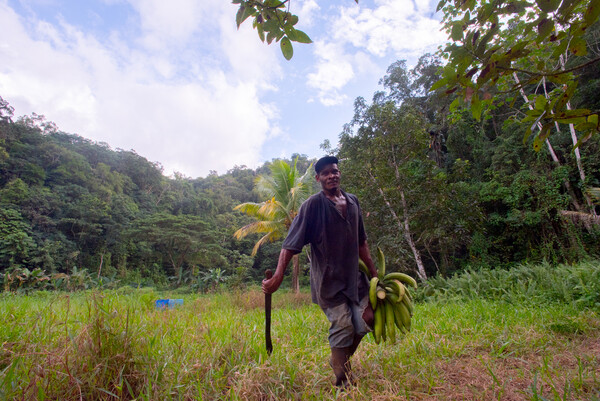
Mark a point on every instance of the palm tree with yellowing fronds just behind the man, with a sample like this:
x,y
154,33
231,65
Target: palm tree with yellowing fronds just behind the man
x,y
285,190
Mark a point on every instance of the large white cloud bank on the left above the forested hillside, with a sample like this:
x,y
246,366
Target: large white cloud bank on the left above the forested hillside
x,y
191,111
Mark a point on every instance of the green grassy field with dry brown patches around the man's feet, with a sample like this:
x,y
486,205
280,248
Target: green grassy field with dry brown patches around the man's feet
x,y
116,345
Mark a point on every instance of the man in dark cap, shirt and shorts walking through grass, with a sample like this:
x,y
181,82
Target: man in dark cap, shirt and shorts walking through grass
x,y
331,222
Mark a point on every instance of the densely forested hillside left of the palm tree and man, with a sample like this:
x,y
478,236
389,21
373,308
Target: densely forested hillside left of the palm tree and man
x,y
82,213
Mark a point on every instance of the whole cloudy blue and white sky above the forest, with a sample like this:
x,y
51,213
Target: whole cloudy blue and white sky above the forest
x,y
179,84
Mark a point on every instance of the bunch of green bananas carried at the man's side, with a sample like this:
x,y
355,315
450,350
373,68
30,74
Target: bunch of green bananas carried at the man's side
x,y
390,299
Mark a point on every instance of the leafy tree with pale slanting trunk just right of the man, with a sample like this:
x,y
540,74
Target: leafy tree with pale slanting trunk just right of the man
x,y
411,205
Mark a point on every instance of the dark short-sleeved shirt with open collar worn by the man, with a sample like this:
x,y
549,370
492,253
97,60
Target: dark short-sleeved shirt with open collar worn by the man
x,y
334,242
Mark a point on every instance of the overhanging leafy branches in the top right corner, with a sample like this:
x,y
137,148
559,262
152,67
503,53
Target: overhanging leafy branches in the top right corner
x,y
504,47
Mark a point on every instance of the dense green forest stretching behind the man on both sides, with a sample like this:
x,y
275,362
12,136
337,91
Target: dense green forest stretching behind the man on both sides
x,y
441,191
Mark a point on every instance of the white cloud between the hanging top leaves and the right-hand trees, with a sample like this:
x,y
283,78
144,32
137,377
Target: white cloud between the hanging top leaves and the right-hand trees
x,y
359,37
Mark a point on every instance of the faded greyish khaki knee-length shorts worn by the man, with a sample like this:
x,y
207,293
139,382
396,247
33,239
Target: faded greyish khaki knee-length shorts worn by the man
x,y
346,322
